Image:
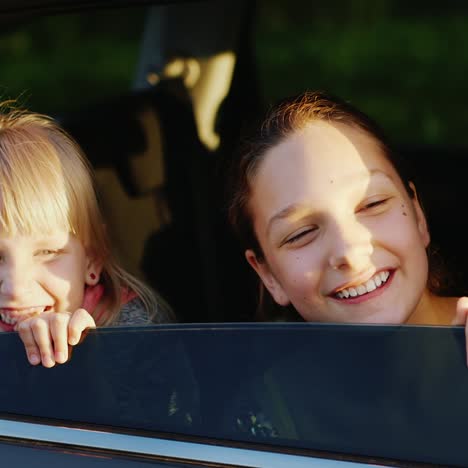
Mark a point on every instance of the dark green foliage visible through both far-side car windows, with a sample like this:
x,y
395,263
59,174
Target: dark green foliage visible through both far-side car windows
x,y
403,62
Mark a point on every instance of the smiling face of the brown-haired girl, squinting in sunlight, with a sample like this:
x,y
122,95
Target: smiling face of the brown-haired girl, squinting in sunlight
x,y
343,241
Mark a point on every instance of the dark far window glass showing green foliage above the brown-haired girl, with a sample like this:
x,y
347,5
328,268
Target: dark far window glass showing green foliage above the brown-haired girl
x,y
402,62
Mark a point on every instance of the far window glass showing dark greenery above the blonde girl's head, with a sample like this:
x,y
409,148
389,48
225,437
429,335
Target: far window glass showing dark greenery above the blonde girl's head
x,y
66,61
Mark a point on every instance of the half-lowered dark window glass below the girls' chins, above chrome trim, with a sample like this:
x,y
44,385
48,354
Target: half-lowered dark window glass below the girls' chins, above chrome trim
x,y
345,390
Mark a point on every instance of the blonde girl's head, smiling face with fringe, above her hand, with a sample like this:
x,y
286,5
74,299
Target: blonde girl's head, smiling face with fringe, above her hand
x,y
52,238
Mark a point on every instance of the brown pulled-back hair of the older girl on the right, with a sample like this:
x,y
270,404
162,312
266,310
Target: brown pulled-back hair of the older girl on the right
x,y
289,116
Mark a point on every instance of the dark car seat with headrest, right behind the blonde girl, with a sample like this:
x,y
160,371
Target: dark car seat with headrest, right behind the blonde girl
x,y
153,178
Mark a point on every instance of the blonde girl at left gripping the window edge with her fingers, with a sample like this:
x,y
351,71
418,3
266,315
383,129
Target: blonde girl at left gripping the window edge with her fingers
x,y
57,274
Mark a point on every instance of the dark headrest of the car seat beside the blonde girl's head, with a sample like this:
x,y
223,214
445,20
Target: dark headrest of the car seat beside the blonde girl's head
x,y
126,135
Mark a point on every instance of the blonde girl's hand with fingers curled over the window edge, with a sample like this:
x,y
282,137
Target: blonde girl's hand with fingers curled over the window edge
x,y
47,336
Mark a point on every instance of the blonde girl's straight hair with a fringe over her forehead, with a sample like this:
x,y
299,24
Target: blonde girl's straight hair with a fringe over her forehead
x,y
46,184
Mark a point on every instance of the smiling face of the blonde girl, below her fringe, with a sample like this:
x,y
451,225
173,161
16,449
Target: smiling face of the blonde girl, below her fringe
x,y
42,273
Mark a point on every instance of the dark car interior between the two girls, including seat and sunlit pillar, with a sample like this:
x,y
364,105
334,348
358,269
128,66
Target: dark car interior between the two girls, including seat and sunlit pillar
x,y
158,154
